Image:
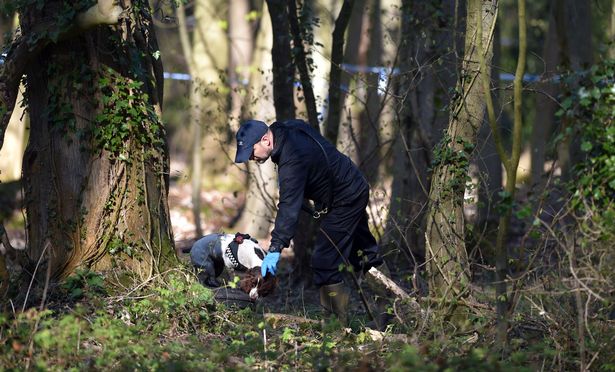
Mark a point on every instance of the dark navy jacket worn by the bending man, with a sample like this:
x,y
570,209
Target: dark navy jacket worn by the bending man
x,y
303,173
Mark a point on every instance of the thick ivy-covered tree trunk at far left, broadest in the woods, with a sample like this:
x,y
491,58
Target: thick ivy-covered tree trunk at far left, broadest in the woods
x,y
96,165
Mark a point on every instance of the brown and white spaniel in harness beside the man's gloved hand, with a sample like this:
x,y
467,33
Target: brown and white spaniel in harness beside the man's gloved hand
x,y
235,252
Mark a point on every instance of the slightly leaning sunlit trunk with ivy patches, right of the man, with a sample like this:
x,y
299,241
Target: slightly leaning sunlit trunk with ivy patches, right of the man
x,y
446,252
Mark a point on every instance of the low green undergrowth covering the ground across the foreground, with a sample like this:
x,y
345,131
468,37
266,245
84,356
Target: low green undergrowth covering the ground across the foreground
x,y
173,323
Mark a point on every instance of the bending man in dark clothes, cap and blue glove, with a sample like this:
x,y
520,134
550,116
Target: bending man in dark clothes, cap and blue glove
x,y
310,167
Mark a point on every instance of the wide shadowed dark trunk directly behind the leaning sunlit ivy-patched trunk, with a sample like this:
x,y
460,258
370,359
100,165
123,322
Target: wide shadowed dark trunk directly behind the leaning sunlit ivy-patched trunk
x,y
427,37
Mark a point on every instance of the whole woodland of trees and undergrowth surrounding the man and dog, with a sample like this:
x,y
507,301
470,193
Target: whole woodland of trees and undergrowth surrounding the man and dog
x,y
484,127
